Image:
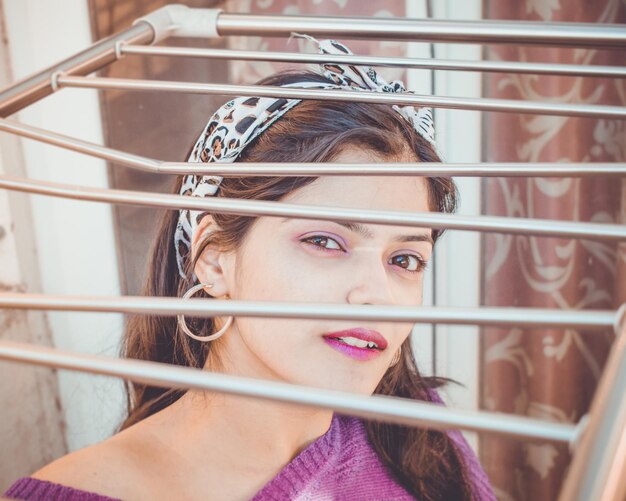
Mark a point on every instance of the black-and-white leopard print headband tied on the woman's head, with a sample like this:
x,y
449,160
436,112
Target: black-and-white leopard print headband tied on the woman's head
x,y
238,122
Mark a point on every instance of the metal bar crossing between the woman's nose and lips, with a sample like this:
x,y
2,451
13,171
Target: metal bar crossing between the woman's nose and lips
x,y
163,306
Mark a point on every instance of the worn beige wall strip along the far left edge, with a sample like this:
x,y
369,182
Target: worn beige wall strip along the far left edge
x,y
32,431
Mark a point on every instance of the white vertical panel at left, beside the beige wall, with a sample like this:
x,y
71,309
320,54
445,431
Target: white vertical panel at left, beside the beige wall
x,y
75,240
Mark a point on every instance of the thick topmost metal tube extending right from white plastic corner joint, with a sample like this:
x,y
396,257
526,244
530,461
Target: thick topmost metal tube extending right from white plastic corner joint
x,y
426,30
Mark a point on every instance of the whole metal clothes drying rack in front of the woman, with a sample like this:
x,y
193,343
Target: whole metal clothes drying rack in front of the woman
x,y
598,441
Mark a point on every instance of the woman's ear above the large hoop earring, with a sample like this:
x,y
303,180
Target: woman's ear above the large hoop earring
x,y
211,266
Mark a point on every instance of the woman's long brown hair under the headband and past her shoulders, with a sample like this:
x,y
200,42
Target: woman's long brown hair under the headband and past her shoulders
x,y
425,461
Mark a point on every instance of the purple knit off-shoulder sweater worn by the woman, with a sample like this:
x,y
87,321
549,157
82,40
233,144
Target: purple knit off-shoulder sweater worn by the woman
x,y
341,464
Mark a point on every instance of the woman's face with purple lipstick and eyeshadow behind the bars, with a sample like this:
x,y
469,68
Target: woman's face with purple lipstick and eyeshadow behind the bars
x,y
299,260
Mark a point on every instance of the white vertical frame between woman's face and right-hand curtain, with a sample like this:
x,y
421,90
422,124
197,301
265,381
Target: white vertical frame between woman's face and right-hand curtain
x,y
456,269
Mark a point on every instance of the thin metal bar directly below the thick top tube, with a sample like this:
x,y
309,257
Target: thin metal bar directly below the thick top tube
x,y
395,62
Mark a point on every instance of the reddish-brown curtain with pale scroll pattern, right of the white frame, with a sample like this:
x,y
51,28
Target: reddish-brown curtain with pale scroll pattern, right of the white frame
x,y
549,374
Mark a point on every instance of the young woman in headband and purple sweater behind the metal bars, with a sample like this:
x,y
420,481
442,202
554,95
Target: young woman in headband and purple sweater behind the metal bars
x,y
197,445
